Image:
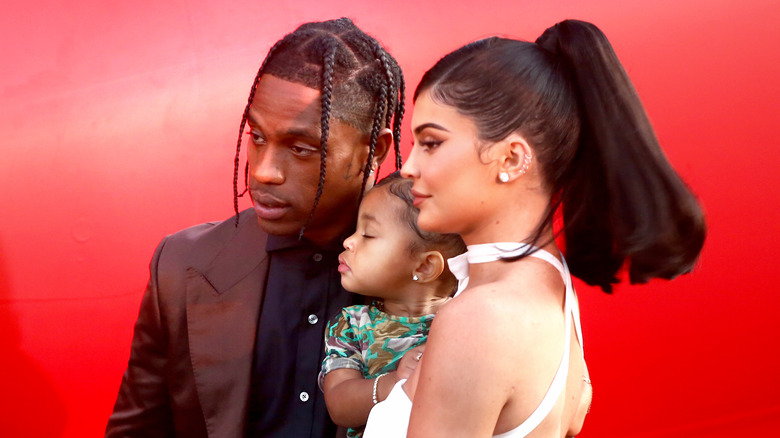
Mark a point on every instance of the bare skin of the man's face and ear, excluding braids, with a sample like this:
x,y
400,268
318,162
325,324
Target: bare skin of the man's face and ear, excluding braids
x,y
284,162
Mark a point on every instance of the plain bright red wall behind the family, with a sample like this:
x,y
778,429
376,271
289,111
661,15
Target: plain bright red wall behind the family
x,y
117,126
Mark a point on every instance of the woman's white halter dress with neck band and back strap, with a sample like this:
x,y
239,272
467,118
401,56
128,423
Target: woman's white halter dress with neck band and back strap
x,y
390,418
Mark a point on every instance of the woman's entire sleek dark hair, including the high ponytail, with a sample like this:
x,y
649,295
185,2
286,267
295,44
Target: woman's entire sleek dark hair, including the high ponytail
x,y
622,203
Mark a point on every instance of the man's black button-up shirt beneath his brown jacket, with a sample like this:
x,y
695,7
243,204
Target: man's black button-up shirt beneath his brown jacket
x,y
303,292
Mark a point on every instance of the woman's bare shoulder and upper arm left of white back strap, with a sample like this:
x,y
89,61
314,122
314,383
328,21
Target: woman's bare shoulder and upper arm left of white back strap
x,y
488,363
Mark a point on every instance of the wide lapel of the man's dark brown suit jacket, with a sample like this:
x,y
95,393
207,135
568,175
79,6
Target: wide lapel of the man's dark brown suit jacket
x,y
223,303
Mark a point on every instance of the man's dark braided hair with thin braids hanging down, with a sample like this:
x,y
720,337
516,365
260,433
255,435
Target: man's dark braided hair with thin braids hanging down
x,y
361,84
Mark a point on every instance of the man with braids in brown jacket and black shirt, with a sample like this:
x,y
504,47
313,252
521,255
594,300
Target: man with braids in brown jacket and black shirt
x,y
228,341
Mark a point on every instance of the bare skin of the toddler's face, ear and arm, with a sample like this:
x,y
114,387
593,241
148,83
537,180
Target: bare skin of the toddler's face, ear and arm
x,y
377,262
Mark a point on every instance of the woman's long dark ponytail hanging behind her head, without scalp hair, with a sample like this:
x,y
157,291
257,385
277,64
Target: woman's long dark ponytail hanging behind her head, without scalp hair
x,y
622,201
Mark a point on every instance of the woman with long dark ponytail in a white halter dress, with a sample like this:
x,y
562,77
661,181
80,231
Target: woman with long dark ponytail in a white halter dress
x,y
508,134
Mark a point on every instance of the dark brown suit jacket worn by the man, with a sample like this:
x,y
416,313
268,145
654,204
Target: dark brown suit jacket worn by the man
x,y
192,349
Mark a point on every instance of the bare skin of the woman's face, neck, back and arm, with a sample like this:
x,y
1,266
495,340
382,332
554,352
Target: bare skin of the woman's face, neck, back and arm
x,y
494,375
